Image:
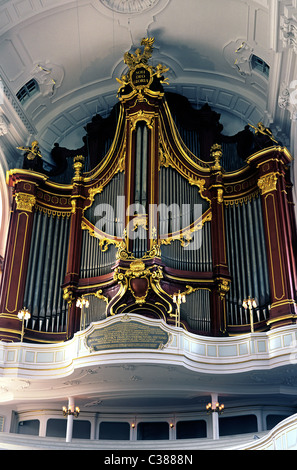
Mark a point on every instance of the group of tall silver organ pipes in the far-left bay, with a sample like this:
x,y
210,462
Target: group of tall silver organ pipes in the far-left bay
x,y
46,271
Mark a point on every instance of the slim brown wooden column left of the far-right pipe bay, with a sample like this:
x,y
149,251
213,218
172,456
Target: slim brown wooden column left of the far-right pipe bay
x,y
219,252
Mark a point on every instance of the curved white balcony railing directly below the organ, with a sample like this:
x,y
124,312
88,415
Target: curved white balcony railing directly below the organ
x,y
202,354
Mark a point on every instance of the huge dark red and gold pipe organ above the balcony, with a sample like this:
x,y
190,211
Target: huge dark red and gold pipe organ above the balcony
x,y
168,205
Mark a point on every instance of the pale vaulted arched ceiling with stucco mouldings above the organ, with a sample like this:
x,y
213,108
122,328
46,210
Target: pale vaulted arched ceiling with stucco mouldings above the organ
x,y
74,50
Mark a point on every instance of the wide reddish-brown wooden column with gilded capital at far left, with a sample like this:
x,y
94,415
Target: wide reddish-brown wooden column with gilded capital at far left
x,y
13,282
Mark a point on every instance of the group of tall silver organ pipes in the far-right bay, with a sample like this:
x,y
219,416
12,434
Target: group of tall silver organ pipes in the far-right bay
x,y
247,260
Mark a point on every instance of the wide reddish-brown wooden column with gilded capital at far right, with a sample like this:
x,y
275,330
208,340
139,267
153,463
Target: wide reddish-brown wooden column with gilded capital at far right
x,y
279,238
